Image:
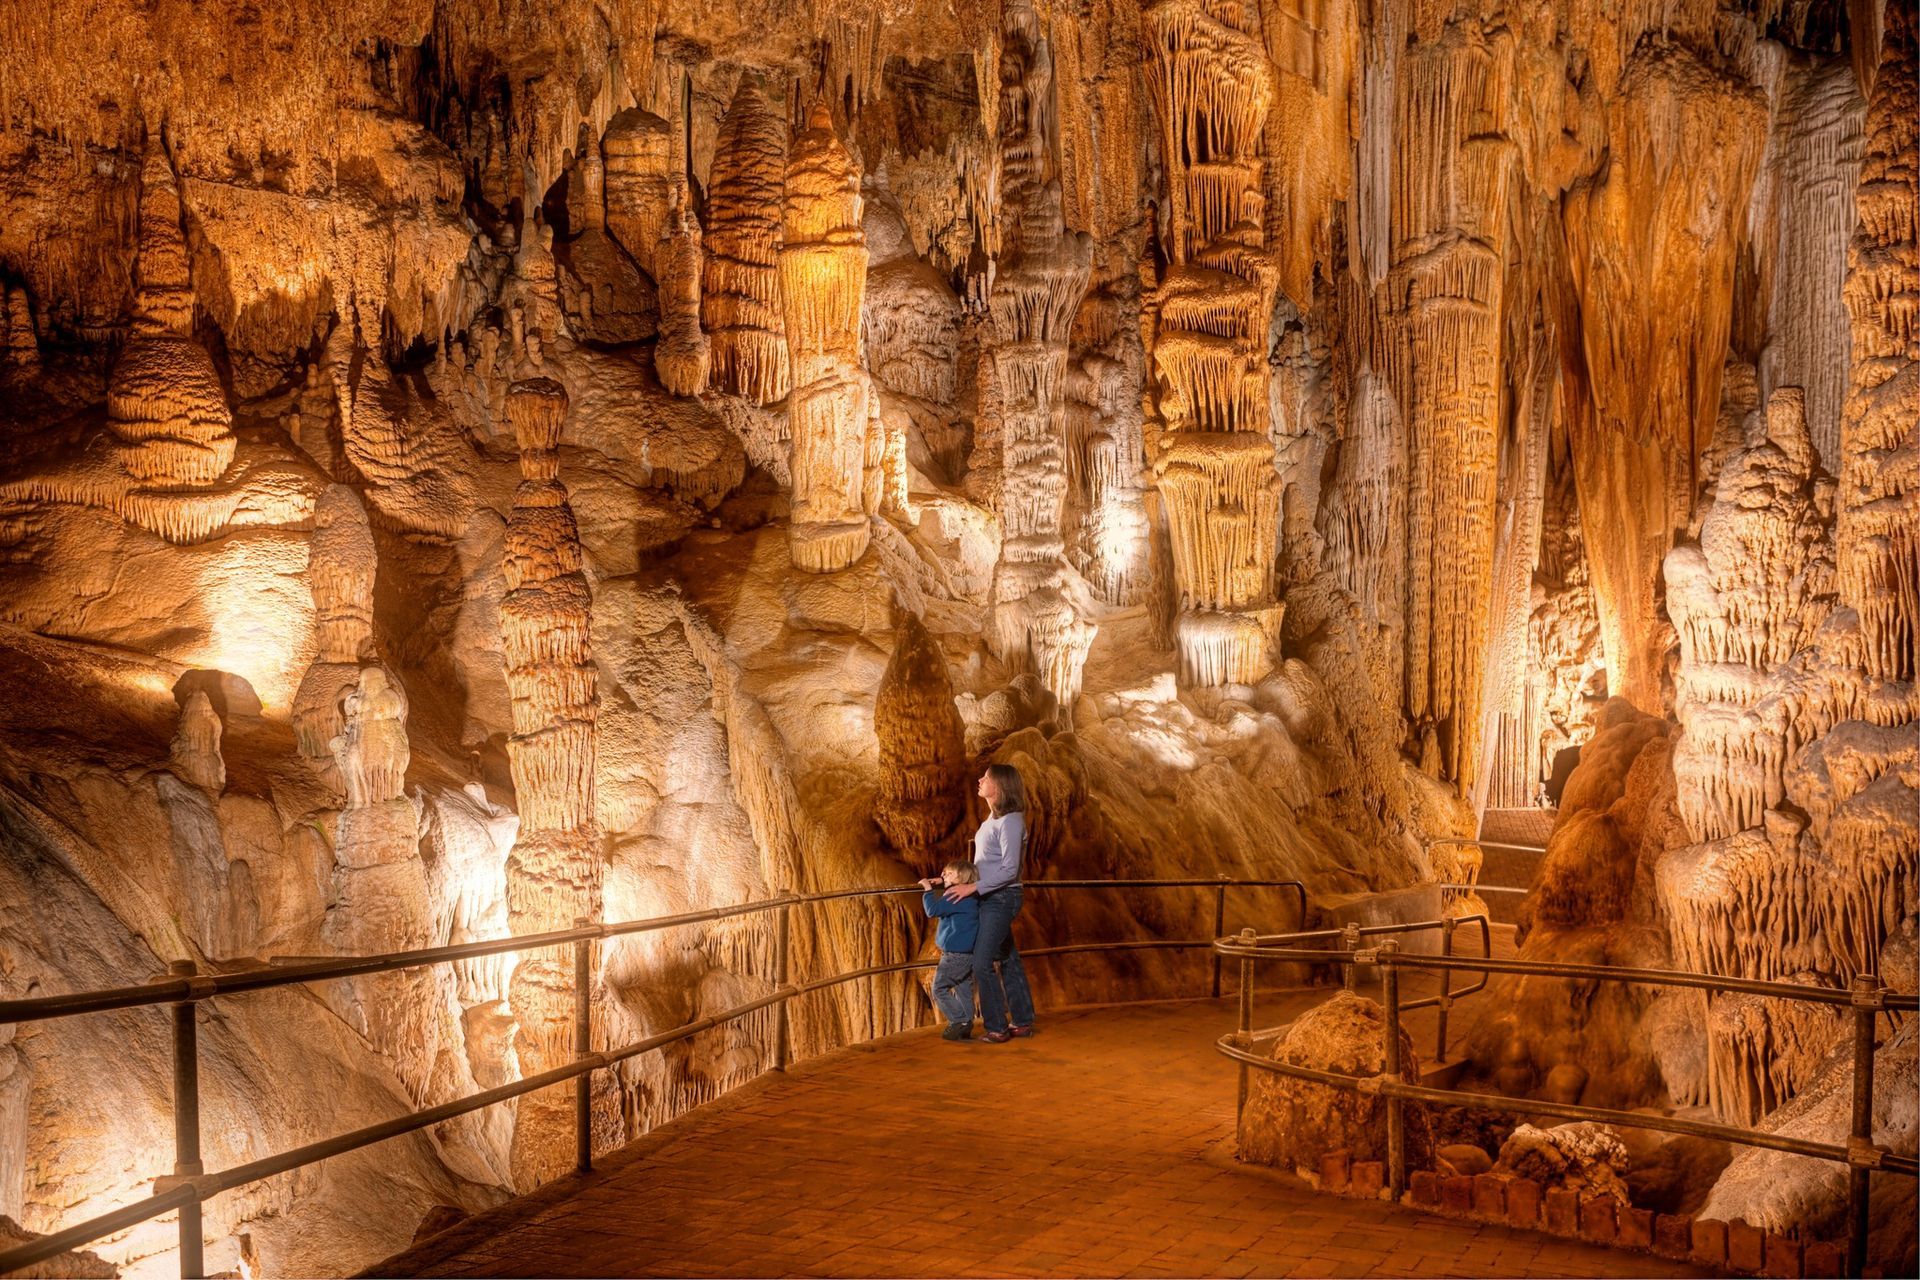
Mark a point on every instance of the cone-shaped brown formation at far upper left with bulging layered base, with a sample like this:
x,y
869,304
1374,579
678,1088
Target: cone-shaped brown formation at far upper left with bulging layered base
x,y
164,398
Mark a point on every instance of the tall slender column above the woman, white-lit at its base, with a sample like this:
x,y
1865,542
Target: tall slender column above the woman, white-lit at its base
x,y
1038,289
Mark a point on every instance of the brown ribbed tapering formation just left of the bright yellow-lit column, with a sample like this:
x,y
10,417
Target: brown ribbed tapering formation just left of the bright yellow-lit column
x,y
740,296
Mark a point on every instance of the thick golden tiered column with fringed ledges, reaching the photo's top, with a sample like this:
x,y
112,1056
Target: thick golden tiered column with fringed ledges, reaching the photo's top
x,y
1216,469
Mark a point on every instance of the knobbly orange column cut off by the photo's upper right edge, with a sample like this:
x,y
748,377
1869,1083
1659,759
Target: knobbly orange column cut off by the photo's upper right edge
x,y
1879,527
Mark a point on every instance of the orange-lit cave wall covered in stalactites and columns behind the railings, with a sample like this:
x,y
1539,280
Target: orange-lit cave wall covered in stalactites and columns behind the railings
x,y
612,460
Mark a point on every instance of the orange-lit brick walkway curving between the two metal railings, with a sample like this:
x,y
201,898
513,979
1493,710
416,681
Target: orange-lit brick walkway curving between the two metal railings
x,y
1099,1149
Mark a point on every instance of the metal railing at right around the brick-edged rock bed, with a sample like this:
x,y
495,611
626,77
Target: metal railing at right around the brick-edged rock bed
x,y
1867,999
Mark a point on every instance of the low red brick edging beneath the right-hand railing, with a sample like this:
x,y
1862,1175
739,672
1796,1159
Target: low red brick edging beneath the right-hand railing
x,y
1593,1220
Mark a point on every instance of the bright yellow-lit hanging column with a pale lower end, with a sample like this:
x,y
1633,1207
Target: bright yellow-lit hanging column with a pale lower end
x,y
823,275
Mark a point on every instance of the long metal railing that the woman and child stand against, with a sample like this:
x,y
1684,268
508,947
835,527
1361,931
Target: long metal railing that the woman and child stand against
x,y
189,1185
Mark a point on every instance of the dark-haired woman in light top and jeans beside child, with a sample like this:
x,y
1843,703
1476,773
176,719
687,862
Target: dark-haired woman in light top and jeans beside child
x,y
997,851
